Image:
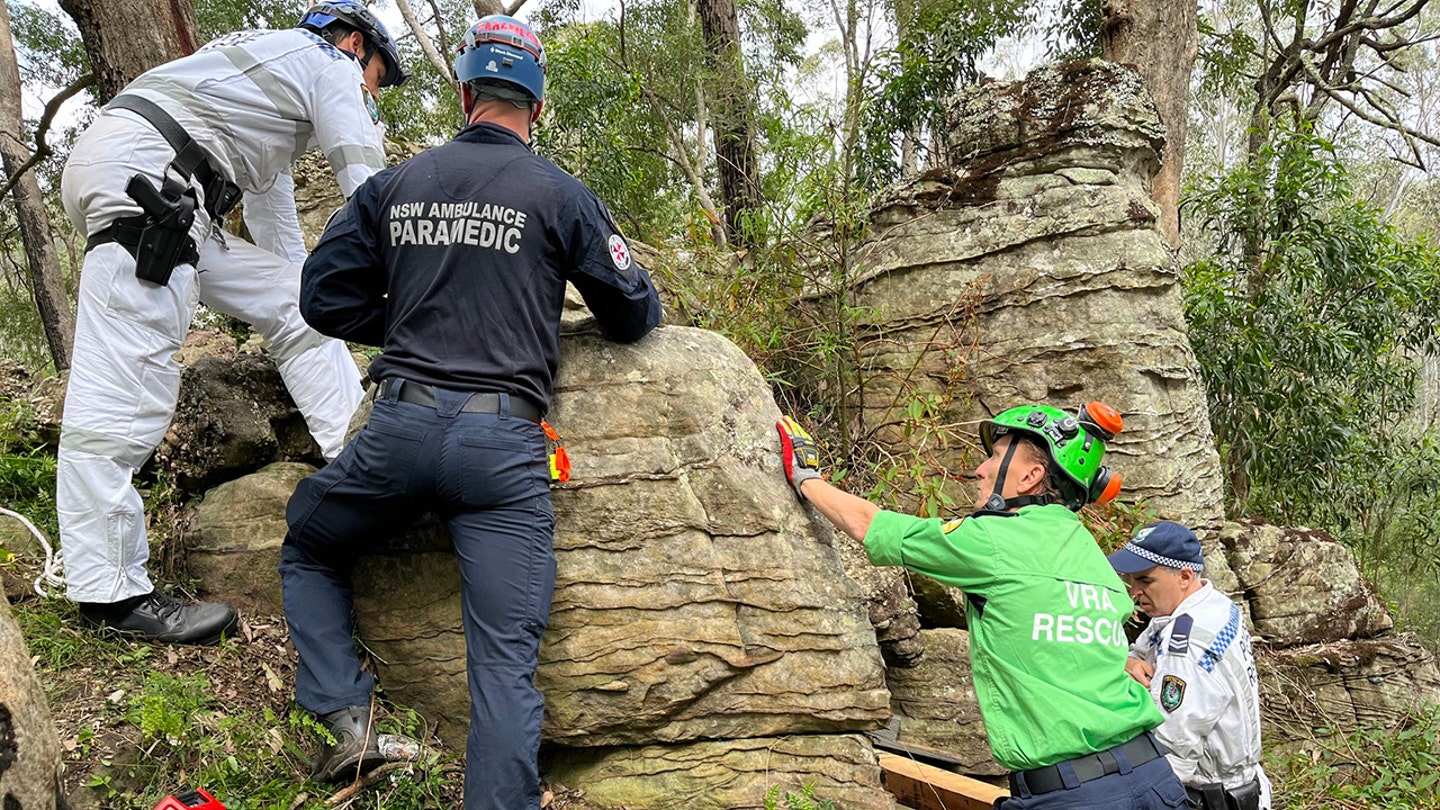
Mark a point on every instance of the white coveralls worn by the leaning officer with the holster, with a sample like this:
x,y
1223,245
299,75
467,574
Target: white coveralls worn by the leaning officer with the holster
x,y
254,102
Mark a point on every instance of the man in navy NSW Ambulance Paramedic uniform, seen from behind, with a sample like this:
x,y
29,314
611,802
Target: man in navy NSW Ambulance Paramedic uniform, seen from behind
x,y
456,263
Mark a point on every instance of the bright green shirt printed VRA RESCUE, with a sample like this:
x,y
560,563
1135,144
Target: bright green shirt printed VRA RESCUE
x,y
1046,615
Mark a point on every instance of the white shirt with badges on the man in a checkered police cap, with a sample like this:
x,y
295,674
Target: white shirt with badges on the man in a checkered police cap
x,y
1206,687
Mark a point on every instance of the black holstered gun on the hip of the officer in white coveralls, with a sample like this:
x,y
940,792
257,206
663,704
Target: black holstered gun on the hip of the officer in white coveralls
x,y
161,237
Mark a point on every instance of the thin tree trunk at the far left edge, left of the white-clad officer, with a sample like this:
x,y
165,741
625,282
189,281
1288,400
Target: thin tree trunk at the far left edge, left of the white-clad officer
x,y
35,223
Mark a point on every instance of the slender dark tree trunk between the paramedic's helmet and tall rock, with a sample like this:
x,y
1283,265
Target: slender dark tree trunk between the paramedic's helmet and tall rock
x,y
732,117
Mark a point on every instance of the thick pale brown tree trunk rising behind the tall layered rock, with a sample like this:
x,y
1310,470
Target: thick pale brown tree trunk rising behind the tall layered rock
x,y
1160,40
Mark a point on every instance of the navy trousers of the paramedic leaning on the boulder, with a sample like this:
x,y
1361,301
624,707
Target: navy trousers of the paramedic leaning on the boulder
x,y
487,478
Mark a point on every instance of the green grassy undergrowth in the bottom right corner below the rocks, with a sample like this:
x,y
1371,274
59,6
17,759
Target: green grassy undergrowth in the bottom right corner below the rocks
x,y
1393,767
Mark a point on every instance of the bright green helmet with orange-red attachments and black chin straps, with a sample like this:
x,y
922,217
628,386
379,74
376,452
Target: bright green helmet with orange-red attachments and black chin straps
x,y
1075,448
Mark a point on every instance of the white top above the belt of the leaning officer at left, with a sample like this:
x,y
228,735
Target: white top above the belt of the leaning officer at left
x,y
256,102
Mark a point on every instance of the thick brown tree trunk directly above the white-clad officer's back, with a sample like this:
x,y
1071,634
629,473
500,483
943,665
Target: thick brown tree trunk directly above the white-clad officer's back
x,y
126,38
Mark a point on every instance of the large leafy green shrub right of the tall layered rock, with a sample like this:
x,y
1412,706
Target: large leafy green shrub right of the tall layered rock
x,y
1307,322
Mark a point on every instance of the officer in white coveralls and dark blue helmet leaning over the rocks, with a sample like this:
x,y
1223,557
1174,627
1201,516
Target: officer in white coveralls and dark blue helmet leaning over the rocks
x,y
149,184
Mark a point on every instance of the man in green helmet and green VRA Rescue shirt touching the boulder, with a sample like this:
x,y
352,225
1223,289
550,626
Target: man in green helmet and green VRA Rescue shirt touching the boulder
x,y
1045,612
